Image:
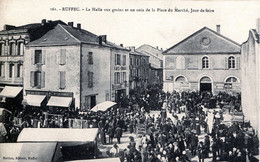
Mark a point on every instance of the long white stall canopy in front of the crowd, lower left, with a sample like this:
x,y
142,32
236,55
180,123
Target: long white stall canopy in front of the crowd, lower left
x,y
57,135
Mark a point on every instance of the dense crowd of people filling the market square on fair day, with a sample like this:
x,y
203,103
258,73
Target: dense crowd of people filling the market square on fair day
x,y
167,139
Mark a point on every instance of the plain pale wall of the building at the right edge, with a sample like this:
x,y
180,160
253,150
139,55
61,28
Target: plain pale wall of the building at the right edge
x,y
250,76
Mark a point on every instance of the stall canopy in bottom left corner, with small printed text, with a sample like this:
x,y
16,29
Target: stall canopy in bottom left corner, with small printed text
x,y
44,152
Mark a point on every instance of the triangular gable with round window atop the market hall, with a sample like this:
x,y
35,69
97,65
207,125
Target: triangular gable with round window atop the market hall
x,y
214,43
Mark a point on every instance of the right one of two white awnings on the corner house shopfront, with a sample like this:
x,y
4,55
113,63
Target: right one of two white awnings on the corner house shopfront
x,y
59,101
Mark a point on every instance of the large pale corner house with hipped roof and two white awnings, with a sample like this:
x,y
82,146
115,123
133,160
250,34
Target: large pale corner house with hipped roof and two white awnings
x,y
71,67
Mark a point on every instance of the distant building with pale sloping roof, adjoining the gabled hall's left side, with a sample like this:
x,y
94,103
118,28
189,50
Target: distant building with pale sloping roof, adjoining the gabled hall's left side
x,y
156,63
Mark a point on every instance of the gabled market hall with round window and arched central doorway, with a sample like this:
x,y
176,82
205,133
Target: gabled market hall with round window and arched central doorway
x,y
204,61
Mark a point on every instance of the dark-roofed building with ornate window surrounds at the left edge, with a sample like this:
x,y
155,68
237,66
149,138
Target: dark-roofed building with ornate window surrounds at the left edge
x,y
12,44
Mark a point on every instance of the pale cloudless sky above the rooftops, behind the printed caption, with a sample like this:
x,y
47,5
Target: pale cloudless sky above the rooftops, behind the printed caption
x,y
156,28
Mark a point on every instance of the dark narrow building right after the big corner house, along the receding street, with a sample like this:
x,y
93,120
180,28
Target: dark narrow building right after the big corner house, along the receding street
x,y
139,69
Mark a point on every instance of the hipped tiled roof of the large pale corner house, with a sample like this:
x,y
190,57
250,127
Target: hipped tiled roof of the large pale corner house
x,y
67,35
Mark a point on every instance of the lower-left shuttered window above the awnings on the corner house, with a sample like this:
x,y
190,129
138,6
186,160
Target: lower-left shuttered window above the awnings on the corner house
x,y
37,79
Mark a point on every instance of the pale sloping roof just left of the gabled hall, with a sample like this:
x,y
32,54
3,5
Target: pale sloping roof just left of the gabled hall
x,y
150,50
